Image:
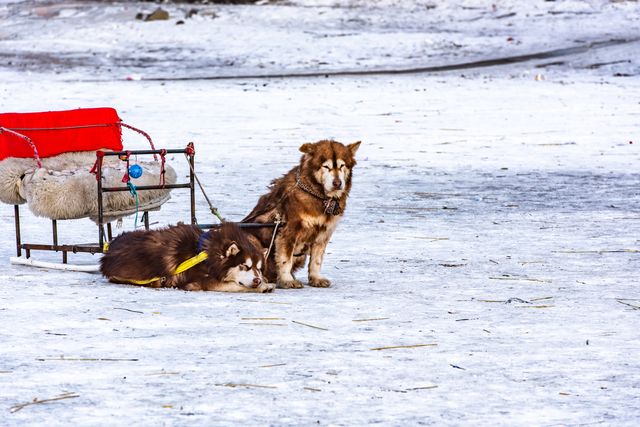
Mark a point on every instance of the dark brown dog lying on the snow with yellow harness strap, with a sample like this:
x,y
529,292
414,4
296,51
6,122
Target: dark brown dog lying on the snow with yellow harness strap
x,y
233,262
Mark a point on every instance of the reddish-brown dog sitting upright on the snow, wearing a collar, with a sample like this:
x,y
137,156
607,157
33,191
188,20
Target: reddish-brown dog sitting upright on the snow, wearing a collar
x,y
310,199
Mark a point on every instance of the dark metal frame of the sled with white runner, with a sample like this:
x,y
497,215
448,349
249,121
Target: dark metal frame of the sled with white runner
x,y
106,236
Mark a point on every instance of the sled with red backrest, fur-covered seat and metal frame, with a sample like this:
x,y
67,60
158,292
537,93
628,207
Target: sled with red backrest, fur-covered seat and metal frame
x,y
66,165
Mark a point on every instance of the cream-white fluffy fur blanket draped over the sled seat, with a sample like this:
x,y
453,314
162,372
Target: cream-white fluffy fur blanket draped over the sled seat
x,y
65,189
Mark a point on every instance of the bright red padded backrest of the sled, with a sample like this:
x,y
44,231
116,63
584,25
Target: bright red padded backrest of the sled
x,y
56,132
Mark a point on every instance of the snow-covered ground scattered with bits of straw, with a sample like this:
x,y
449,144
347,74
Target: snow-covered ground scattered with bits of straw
x,y
493,227
